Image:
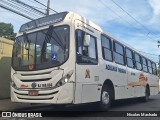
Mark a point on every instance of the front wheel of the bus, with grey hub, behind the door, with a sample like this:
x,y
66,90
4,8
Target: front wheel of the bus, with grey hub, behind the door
x,y
105,101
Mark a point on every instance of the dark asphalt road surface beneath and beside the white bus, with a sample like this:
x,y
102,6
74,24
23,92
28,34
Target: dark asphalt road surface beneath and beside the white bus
x,y
89,111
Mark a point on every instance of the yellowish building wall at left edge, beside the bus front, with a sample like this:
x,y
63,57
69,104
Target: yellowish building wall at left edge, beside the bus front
x,y
5,67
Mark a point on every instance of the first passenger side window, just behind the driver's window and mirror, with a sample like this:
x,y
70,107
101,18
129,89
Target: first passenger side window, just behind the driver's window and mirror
x,y
106,48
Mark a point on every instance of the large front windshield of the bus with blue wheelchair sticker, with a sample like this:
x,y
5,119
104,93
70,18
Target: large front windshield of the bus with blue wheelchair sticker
x,y
42,49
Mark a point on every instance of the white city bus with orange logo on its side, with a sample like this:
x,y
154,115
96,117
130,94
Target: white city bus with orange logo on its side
x,y
66,59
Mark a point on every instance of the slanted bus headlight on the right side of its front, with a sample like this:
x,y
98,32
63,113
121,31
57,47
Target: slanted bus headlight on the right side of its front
x,y
64,80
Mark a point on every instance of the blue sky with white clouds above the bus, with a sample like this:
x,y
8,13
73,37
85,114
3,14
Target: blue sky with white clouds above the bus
x,y
139,26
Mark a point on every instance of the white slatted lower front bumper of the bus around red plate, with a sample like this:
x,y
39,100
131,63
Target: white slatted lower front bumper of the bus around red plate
x,y
60,95
